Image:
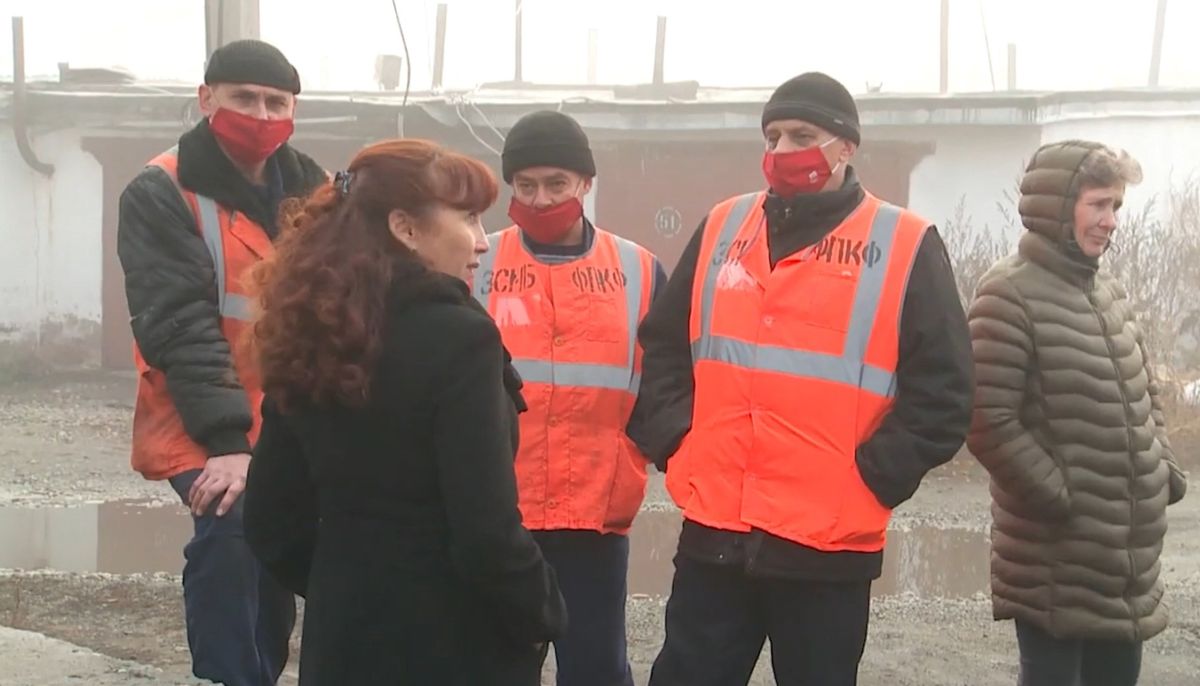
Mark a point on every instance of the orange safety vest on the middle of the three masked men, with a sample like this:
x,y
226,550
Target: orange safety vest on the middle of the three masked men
x,y
572,330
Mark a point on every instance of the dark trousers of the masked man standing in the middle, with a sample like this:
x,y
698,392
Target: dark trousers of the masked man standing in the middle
x,y
592,570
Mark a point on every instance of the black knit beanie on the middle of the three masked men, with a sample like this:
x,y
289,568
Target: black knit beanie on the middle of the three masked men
x,y
547,139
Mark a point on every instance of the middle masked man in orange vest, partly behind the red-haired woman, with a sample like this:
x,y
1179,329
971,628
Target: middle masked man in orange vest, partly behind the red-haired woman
x,y
568,298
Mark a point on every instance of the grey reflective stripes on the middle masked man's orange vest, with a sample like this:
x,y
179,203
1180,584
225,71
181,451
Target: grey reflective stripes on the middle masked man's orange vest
x,y
620,378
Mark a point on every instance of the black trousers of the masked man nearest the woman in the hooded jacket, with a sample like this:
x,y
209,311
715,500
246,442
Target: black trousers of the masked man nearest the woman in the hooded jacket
x,y
718,619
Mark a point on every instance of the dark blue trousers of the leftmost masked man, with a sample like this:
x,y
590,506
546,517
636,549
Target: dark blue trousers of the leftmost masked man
x,y
239,621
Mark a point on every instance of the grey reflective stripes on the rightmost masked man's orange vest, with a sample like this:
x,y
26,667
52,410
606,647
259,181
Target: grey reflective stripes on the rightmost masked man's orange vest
x,y
850,368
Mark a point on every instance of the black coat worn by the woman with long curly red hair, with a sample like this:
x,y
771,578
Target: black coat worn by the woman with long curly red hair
x,y
400,521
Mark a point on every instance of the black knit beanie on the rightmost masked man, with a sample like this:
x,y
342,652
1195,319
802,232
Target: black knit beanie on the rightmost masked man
x,y
817,99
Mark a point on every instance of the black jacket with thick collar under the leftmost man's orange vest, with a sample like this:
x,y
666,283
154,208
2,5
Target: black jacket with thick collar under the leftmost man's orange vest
x,y
172,288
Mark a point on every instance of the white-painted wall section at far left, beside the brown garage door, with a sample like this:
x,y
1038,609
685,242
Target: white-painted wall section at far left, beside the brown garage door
x,y
51,249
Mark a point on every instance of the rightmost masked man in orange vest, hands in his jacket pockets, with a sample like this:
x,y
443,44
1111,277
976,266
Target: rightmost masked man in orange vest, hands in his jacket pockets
x,y
809,363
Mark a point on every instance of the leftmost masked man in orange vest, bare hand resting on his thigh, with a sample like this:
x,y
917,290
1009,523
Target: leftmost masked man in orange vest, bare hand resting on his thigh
x,y
190,227
